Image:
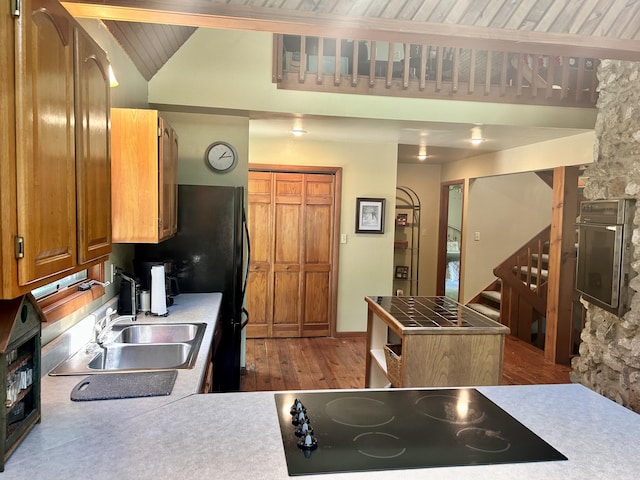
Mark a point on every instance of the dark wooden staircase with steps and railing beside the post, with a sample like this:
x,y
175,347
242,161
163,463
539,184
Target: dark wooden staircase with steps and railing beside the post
x,y
518,297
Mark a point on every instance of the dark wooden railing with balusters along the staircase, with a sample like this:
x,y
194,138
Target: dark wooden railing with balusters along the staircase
x,y
523,273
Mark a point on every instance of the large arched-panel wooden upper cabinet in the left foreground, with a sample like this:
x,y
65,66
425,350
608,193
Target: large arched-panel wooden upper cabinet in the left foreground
x,y
54,147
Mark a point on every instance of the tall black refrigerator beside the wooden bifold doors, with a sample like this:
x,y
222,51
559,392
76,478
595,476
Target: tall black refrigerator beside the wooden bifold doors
x,y
210,253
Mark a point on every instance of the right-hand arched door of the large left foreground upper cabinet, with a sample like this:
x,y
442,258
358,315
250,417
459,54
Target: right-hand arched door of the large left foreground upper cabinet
x,y
93,166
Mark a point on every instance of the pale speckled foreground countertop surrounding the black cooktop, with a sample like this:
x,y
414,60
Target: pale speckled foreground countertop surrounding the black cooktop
x,y
237,436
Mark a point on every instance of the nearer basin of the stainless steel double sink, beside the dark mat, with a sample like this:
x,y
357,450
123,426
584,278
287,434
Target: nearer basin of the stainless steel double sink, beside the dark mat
x,y
117,356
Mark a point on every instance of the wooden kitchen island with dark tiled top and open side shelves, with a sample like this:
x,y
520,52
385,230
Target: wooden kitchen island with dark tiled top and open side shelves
x,y
438,342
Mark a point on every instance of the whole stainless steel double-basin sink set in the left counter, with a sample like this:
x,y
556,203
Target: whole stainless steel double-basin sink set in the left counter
x,y
138,347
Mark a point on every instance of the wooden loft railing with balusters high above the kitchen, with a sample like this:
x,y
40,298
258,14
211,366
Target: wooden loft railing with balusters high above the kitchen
x,y
427,71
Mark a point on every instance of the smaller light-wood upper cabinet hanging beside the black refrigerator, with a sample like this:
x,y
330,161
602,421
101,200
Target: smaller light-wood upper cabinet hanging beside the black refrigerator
x,y
144,162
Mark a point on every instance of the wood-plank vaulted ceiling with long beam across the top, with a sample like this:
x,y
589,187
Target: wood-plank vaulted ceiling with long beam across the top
x,y
150,31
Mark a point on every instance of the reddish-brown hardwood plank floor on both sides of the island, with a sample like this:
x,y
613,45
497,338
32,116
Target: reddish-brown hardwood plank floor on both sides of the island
x,y
323,363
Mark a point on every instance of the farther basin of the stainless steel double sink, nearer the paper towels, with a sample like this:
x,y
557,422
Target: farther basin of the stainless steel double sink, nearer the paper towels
x,y
158,333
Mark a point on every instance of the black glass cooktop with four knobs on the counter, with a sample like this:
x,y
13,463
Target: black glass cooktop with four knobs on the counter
x,y
341,431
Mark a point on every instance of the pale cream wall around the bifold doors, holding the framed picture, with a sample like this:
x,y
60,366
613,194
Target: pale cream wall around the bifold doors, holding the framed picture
x,y
369,170
